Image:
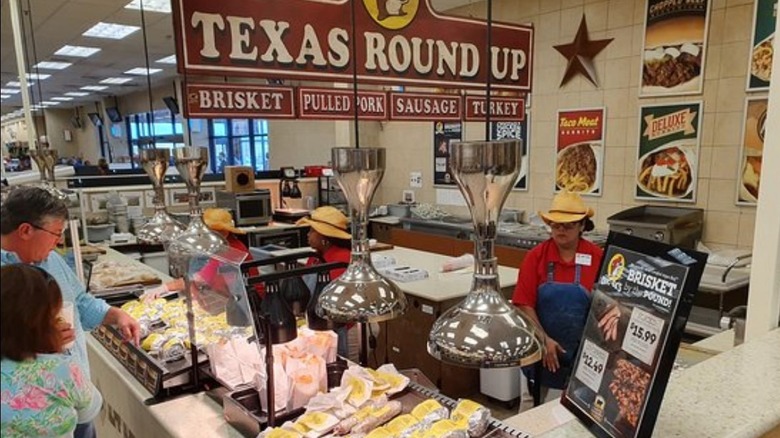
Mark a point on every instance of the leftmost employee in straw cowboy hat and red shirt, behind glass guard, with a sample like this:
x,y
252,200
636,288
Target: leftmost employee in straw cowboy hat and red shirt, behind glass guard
x,y
221,222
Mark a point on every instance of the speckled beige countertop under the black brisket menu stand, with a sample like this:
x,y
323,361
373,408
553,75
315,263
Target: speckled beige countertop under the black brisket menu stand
x,y
719,397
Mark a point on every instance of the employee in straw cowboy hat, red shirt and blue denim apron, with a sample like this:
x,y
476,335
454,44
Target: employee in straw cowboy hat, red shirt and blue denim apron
x,y
553,288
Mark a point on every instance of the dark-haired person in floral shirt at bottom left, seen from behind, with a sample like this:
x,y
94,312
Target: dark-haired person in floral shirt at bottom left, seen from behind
x,y
45,392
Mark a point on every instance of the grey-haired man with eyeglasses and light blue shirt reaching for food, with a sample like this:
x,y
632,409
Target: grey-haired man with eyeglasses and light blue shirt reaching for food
x,y
32,223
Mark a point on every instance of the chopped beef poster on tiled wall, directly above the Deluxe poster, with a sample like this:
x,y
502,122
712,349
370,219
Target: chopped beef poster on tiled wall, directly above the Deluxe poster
x,y
674,47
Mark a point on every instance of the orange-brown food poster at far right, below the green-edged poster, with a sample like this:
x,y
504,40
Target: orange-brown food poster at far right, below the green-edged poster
x,y
754,128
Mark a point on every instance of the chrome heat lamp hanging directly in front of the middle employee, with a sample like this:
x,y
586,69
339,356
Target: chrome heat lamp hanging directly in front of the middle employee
x,y
361,294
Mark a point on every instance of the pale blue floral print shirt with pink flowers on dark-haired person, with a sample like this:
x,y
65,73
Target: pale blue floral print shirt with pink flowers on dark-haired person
x,y
45,397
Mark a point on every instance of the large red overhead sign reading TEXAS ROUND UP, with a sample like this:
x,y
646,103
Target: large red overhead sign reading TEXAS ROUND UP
x,y
402,42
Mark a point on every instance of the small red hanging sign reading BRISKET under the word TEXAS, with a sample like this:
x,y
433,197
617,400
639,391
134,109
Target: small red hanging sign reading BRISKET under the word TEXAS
x,y
229,100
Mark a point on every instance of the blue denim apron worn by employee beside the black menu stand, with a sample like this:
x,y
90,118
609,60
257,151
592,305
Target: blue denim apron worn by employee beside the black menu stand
x,y
562,309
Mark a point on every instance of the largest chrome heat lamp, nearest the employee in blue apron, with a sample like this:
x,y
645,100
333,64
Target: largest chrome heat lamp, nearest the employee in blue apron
x,y
484,330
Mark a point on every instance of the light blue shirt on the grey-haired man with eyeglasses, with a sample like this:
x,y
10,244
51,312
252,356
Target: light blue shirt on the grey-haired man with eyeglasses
x,y
89,311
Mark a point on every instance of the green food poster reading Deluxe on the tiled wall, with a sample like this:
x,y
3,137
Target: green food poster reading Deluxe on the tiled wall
x,y
668,152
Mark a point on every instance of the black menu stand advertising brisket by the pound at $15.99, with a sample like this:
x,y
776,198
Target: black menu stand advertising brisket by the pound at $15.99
x,y
641,302
